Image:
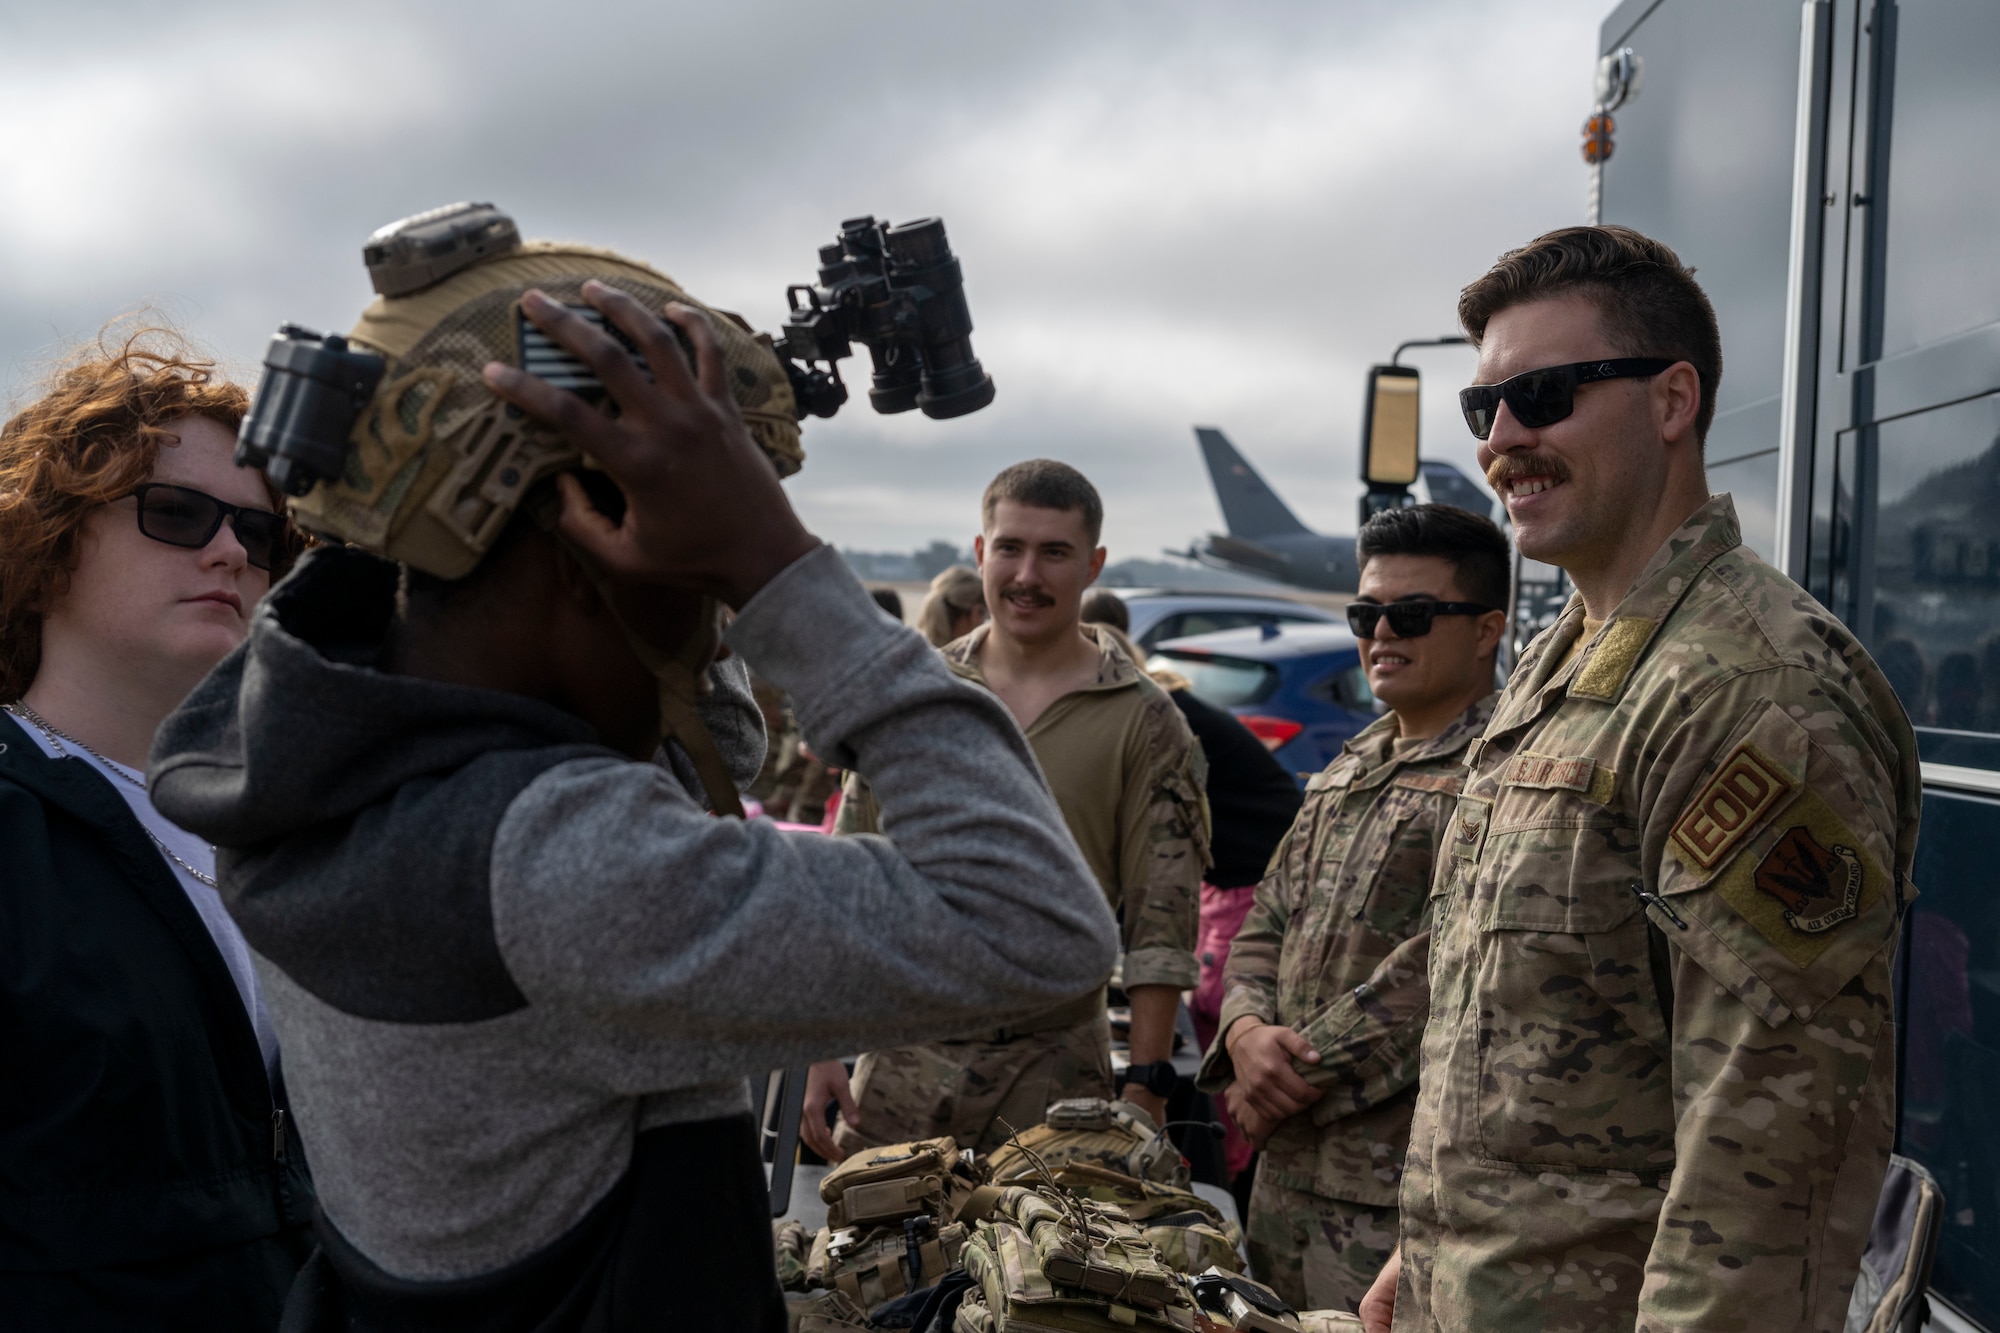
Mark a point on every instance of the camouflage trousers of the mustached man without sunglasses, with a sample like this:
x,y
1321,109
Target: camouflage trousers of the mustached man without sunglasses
x,y
967,1088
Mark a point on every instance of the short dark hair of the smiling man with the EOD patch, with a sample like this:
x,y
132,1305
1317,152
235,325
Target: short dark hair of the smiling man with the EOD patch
x,y
1649,301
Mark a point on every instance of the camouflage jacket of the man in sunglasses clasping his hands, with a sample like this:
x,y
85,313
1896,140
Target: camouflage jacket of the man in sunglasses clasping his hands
x,y
1337,946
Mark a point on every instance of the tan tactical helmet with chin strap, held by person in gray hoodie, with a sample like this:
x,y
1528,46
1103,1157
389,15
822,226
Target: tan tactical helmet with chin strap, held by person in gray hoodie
x,y
391,441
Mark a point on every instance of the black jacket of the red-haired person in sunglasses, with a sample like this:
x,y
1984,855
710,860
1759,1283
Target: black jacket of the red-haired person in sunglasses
x,y
147,1170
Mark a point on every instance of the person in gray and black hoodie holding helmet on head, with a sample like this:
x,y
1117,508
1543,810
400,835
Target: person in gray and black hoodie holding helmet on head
x,y
519,970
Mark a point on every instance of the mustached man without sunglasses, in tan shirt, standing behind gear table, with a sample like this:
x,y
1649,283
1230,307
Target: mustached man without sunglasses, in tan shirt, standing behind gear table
x,y
1127,778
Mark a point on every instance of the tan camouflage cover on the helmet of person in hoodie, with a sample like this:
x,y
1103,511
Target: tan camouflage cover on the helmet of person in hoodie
x,y
439,463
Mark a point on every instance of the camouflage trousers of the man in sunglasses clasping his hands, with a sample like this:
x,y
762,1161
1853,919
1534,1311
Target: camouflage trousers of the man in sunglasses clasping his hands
x,y
1315,1252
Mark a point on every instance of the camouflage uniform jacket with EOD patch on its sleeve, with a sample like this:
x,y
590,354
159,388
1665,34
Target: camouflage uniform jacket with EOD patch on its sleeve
x,y
1659,1078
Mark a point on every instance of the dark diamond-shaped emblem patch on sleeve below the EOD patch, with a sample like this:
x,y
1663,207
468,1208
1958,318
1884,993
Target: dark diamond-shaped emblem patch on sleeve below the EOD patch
x,y
1815,878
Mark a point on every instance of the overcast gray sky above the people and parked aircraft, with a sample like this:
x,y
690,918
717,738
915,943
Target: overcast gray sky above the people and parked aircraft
x,y
1167,213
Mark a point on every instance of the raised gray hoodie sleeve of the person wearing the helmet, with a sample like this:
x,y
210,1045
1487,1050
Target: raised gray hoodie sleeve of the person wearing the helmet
x,y
733,948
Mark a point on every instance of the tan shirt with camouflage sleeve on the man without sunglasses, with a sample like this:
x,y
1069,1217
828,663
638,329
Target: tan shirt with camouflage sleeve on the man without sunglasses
x,y
1127,774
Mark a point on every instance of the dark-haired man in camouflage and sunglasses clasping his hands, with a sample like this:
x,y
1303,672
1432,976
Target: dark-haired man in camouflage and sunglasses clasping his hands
x,y
1327,986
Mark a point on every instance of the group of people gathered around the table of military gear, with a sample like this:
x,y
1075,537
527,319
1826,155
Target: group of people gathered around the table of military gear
x,y
379,948
